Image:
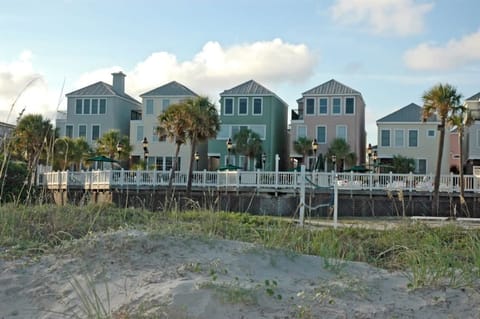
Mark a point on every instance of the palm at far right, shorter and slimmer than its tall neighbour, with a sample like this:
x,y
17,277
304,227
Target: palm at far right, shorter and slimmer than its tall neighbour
x,y
461,118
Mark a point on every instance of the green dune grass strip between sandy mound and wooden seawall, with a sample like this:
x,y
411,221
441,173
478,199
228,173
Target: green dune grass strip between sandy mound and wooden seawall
x,y
429,256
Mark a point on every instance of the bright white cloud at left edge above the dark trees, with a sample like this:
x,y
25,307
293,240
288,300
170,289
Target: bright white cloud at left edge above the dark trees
x,y
23,87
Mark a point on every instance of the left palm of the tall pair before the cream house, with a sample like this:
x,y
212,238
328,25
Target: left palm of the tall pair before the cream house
x,y
173,124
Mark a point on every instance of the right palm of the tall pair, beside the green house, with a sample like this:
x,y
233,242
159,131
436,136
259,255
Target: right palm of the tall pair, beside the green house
x,y
204,124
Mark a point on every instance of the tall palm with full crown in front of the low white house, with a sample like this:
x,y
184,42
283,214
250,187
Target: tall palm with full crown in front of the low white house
x,y
441,100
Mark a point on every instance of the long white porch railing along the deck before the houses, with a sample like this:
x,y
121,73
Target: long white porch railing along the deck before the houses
x,y
256,179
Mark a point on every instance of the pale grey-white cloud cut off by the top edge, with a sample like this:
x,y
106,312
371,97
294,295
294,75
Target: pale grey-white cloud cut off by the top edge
x,y
386,17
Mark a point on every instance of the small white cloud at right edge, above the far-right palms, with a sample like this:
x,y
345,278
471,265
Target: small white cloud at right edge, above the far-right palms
x,y
454,54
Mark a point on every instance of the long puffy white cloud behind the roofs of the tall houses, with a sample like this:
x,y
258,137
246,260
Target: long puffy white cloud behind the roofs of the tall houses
x,y
216,68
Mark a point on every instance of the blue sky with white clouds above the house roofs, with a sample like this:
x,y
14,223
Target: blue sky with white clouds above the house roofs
x,y
389,50
